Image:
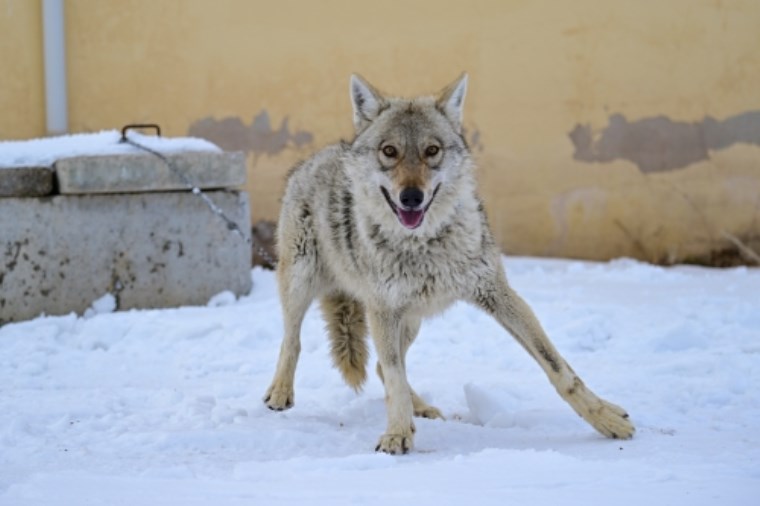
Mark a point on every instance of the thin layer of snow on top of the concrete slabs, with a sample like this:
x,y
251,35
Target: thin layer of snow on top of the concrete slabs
x,y
44,152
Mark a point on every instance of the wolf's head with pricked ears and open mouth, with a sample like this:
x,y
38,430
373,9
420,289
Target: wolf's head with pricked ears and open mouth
x,y
409,160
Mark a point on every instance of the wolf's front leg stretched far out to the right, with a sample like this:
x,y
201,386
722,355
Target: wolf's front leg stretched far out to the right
x,y
494,295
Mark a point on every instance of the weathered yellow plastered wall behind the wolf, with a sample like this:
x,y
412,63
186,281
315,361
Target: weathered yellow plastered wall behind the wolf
x,y
538,69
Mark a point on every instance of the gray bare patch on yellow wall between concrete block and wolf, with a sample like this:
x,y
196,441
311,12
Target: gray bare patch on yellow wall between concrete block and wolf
x,y
231,134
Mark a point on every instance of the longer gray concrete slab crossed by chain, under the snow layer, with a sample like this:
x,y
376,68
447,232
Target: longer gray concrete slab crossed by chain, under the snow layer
x,y
146,172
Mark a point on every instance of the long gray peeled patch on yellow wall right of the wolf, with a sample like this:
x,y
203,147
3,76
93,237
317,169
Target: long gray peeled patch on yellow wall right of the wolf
x,y
660,144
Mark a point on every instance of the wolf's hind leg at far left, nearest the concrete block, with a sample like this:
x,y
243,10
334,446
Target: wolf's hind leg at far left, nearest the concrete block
x,y
297,288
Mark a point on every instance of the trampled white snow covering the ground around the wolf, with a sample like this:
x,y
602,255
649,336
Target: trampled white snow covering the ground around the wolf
x,y
164,407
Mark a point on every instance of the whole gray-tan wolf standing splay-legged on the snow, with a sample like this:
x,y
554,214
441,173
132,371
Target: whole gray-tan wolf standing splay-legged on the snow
x,y
388,229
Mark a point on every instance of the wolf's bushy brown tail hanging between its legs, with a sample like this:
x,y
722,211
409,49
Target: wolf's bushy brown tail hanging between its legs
x,y
347,328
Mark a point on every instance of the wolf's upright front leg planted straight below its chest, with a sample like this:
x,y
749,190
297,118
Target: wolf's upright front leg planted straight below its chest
x,y
386,329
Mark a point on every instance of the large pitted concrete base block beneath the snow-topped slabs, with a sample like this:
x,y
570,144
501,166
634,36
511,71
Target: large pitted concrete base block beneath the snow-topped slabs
x,y
59,254
